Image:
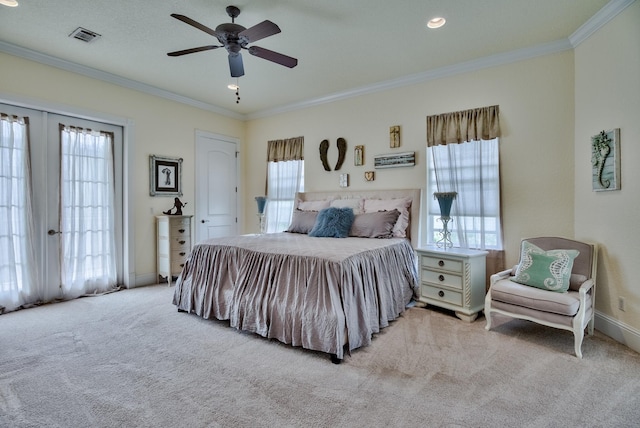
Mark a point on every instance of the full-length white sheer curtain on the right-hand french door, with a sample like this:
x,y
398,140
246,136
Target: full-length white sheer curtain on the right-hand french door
x,y
87,224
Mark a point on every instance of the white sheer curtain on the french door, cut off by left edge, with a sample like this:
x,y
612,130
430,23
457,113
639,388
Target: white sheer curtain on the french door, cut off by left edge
x,y
17,270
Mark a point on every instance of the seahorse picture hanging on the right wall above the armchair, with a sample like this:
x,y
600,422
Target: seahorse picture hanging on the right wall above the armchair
x,y
605,161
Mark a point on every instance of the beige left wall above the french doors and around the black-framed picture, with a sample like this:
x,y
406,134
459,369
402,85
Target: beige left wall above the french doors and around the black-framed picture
x,y
161,127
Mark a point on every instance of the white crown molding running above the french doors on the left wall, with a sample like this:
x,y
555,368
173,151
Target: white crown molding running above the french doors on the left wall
x,y
112,78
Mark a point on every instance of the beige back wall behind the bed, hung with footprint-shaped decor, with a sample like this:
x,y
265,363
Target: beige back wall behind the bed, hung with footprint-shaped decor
x,y
536,113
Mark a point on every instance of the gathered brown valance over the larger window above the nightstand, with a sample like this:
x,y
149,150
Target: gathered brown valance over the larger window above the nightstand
x,y
460,126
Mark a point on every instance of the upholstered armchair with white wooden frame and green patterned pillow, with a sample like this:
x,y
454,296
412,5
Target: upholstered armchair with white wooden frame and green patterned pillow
x,y
553,284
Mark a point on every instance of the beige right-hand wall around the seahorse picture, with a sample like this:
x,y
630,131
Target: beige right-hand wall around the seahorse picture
x,y
607,97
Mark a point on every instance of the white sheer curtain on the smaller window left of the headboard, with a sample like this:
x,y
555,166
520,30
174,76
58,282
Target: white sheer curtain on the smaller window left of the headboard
x,y
284,179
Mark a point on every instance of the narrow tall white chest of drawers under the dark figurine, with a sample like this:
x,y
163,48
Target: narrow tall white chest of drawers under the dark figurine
x,y
174,244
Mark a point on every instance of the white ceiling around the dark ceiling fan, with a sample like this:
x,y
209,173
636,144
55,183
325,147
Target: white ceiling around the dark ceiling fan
x,y
342,46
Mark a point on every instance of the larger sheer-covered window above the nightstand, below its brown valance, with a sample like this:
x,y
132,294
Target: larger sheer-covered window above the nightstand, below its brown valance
x,y
472,170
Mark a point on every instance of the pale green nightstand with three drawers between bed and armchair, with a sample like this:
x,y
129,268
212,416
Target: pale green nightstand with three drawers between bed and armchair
x,y
453,279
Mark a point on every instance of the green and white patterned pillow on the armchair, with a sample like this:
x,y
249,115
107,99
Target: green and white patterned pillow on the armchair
x,y
549,270
